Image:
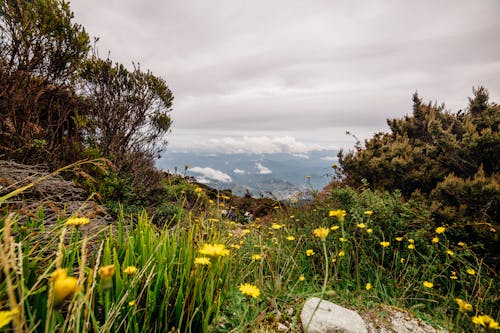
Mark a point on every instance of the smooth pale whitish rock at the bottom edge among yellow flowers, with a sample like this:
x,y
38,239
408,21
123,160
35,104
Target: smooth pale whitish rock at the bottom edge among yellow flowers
x,y
330,318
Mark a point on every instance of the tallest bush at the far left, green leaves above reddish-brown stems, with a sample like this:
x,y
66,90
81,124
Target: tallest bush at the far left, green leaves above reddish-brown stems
x,y
40,50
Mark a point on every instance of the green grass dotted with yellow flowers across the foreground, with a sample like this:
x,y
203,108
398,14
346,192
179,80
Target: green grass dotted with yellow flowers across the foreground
x,y
186,276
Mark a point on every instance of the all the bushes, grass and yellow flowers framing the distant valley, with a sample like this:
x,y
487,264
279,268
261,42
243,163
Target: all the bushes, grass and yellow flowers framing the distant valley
x,y
410,222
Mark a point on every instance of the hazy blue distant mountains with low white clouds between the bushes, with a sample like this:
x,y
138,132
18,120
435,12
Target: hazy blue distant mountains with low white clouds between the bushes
x,y
278,174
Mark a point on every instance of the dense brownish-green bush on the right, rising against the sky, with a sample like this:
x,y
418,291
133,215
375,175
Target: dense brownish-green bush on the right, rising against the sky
x,y
451,159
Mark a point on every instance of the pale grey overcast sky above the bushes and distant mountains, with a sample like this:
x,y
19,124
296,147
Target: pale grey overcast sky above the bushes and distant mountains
x,y
299,73
